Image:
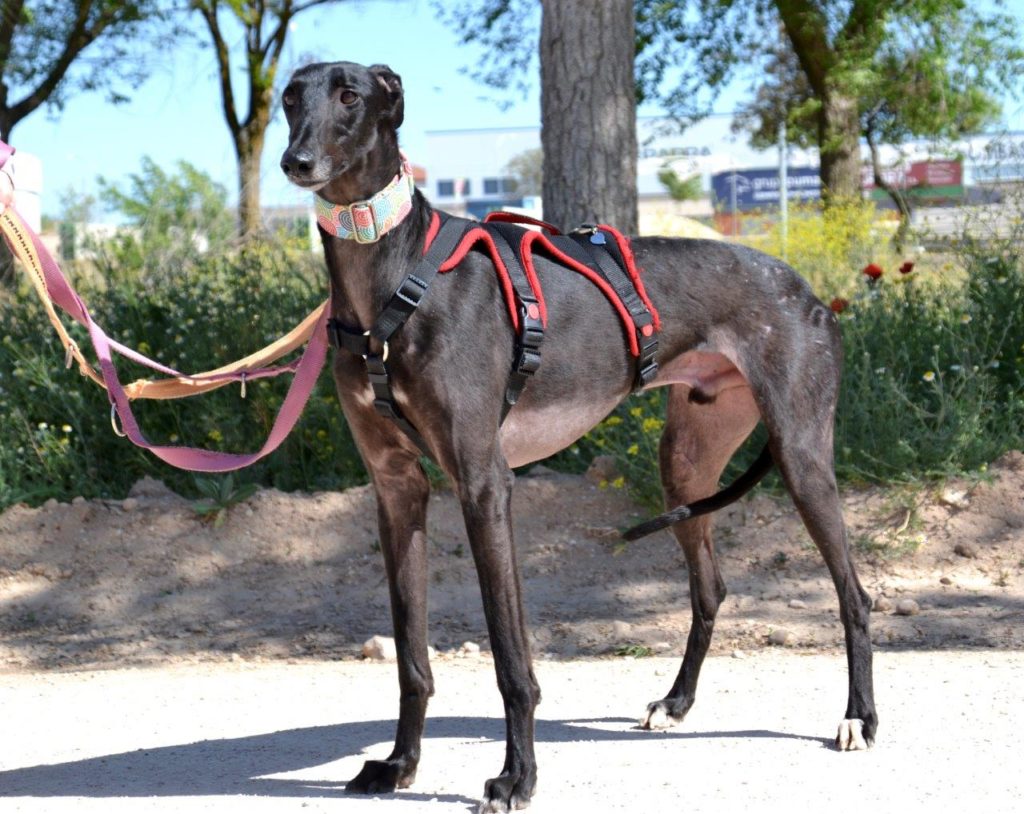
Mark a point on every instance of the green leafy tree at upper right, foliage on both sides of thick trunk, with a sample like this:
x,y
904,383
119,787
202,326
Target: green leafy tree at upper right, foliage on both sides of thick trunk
x,y
849,64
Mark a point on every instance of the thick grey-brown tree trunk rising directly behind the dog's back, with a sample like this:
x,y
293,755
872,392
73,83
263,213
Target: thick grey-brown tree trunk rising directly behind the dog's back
x,y
588,113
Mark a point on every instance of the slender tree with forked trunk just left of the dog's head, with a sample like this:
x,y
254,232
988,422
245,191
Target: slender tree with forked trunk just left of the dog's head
x,y
247,111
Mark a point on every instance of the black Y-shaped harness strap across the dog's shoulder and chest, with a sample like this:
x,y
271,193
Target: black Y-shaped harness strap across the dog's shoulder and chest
x,y
402,306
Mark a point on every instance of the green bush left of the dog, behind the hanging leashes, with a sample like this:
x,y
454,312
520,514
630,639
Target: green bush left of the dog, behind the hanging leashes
x,y
58,441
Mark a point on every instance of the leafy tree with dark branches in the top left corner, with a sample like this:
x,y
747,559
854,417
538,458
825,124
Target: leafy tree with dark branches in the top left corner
x,y
50,49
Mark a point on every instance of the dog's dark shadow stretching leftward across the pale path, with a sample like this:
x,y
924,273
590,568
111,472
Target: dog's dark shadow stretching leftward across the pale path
x,y
245,765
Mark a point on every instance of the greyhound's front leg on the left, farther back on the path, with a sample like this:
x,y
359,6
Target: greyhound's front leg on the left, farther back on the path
x,y
403,490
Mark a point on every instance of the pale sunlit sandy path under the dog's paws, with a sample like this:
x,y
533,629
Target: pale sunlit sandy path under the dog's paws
x,y
285,738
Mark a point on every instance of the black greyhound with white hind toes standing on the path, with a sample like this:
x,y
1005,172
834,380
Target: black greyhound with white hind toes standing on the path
x,y
743,339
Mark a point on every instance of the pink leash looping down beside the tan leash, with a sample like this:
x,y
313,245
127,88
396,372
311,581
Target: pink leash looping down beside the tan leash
x,y
307,371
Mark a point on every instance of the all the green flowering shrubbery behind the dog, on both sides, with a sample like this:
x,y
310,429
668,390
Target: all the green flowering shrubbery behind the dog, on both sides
x,y
933,382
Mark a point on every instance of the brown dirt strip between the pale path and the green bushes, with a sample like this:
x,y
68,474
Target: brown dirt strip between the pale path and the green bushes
x,y
100,584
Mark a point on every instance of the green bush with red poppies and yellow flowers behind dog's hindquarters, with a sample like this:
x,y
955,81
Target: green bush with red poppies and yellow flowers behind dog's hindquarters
x,y
933,380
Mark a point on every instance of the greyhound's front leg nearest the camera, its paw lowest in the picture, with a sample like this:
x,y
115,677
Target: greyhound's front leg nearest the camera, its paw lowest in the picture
x,y
486,491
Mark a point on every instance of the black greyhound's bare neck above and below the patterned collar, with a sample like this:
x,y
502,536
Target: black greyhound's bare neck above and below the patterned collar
x,y
365,276
